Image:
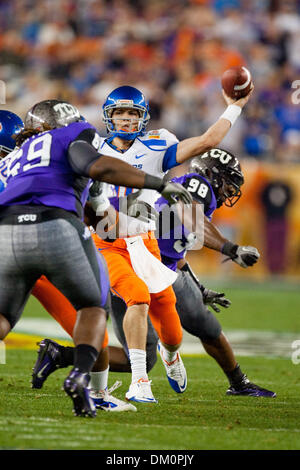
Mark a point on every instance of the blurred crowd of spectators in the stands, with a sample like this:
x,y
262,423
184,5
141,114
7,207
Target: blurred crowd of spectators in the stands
x,y
173,50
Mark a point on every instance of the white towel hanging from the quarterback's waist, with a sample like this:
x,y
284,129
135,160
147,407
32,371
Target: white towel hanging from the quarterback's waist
x,y
148,268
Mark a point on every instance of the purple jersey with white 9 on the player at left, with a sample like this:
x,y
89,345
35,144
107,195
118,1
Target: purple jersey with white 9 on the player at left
x,y
40,173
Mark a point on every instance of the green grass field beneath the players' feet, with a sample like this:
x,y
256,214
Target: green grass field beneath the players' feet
x,y
201,418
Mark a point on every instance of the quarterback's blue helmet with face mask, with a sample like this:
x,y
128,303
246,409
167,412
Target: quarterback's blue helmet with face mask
x,y
126,97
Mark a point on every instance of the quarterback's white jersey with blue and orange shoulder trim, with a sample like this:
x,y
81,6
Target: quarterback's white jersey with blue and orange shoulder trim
x,y
147,154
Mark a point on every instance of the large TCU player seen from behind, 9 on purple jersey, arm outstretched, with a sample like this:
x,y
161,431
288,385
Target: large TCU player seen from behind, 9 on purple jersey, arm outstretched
x,y
42,234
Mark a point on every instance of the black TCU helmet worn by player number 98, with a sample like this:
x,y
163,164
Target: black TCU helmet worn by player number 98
x,y
223,171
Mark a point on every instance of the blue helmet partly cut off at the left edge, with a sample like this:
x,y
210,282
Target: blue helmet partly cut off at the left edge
x,y
10,124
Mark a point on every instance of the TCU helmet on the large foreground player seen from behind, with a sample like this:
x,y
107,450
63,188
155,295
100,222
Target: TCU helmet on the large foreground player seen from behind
x,y
52,114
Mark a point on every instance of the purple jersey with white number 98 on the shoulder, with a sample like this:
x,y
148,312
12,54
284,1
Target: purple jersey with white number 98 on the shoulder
x,y
174,244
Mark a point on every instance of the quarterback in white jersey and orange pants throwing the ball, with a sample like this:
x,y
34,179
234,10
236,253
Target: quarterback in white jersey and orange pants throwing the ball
x,y
126,114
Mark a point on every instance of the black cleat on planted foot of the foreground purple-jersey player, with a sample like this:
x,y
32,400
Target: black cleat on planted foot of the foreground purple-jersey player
x,y
75,386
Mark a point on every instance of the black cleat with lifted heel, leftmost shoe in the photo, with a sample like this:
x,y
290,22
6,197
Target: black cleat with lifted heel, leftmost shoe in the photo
x,y
47,362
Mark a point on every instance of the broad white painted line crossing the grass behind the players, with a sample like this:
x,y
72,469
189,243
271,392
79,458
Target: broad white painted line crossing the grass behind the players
x,y
244,342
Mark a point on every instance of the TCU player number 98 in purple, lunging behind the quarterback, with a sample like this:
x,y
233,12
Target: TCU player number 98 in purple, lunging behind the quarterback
x,y
215,179
